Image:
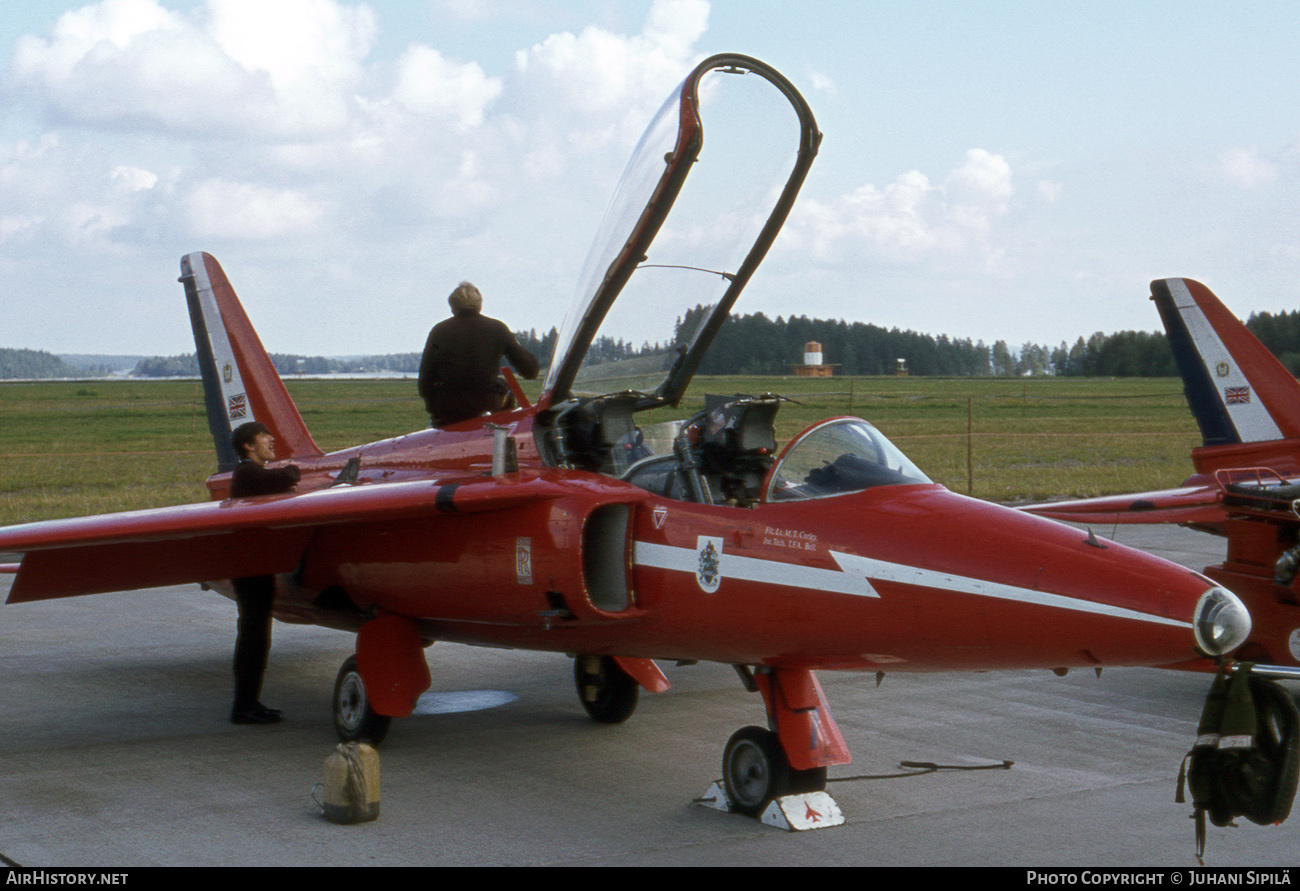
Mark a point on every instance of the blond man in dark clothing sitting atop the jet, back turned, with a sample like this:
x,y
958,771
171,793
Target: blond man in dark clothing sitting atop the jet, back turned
x,y
458,371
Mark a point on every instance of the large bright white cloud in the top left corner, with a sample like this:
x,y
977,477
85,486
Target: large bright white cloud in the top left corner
x,y
239,67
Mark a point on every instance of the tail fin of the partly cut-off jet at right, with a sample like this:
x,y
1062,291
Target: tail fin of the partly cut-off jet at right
x,y
1237,390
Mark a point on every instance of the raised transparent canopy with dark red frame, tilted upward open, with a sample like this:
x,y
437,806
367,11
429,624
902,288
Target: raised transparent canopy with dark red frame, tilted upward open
x,y
697,209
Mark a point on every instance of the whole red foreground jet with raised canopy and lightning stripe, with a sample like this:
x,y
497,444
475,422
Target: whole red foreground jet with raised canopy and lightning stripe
x,y
566,526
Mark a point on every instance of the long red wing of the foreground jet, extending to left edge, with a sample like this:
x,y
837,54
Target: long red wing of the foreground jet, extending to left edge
x,y
232,539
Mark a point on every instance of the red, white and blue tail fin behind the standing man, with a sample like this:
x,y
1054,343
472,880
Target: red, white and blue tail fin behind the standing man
x,y
240,380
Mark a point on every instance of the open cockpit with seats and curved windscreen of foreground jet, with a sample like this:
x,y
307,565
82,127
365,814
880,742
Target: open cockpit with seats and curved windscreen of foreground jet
x,y
726,455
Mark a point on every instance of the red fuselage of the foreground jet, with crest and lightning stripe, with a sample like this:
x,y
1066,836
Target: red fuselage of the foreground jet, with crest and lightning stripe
x,y
891,578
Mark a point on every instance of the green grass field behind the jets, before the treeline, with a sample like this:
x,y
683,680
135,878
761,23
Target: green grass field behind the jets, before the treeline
x,y
89,448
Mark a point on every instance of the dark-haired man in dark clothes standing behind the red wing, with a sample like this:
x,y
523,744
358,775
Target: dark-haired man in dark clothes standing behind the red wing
x,y
255,447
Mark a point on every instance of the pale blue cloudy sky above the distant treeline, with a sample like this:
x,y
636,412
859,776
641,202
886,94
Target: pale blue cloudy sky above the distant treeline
x,y
995,171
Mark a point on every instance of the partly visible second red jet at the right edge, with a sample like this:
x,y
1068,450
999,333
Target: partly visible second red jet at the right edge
x,y
1247,406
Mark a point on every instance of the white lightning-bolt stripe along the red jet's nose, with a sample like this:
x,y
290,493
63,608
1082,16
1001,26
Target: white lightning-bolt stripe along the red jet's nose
x,y
859,573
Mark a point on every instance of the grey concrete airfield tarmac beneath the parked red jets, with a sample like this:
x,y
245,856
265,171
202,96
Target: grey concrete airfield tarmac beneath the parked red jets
x,y
116,751
